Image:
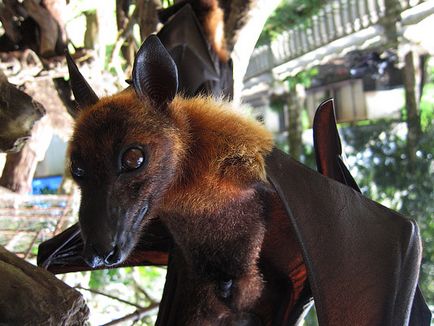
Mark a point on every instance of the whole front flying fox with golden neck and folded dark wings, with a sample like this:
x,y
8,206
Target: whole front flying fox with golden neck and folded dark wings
x,y
239,213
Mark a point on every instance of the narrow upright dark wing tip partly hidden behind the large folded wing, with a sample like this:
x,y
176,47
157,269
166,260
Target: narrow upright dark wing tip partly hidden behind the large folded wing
x,y
328,153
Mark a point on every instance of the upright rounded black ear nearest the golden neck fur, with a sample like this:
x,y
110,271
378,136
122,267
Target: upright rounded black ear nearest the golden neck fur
x,y
155,75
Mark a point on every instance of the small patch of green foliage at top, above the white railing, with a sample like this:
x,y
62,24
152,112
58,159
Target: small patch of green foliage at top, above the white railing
x,y
287,14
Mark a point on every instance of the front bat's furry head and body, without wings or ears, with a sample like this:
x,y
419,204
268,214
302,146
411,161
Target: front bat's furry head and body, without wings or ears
x,y
200,168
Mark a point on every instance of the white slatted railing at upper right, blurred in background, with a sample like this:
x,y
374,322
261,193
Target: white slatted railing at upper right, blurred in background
x,y
335,20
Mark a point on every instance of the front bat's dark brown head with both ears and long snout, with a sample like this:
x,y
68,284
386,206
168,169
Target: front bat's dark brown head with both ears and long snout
x,y
124,154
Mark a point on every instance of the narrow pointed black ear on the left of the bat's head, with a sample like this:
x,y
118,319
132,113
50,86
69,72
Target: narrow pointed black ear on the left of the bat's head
x,y
83,93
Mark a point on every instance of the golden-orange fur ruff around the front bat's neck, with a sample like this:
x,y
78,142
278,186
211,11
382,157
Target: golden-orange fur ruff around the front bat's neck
x,y
224,151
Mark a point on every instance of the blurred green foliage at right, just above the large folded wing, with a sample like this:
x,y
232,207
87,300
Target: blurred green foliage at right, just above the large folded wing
x,y
378,154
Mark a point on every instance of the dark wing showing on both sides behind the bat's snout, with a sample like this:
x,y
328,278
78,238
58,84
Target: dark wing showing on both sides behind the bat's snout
x,y
62,253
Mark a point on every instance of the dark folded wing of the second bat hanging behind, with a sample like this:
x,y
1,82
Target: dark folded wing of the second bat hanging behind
x,y
199,68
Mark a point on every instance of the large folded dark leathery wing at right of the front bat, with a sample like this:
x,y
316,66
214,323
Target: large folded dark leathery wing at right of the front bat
x,y
363,259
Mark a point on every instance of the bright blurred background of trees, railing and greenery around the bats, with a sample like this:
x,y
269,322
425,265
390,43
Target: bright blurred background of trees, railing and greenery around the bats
x,y
374,57
